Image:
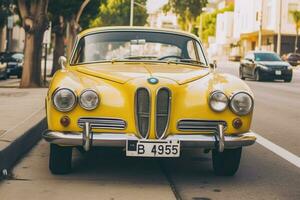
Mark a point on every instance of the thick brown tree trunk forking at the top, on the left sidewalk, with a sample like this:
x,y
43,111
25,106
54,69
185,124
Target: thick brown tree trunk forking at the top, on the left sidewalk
x,y
35,22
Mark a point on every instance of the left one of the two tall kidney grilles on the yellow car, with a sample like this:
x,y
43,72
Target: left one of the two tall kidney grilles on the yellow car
x,y
142,111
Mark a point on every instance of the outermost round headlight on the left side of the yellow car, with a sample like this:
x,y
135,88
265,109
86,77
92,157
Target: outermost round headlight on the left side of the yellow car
x,y
64,99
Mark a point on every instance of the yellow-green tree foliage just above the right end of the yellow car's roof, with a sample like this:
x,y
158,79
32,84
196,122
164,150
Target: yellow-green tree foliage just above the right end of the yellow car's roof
x,y
187,12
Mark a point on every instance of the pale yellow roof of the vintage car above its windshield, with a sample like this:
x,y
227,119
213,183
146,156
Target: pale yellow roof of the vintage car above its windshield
x,y
135,28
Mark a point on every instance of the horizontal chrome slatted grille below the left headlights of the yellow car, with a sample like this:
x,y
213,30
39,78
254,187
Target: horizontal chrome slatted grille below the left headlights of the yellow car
x,y
102,123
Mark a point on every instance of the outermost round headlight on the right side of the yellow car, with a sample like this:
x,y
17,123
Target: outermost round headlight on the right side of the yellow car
x,y
241,103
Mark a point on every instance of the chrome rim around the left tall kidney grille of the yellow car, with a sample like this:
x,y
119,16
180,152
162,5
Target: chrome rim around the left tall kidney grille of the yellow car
x,y
136,114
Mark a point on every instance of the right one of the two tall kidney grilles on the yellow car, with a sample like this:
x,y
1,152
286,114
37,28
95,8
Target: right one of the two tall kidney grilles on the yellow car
x,y
163,101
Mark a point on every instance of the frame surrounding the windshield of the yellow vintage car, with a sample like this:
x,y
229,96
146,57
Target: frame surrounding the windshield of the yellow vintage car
x,y
198,48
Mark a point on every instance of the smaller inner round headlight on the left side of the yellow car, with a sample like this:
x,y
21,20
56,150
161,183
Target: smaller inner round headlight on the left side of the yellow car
x,y
89,100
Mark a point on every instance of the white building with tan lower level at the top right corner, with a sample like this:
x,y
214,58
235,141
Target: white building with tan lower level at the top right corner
x,y
247,20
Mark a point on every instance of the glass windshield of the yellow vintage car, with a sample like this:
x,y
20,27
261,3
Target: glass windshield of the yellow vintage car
x,y
138,45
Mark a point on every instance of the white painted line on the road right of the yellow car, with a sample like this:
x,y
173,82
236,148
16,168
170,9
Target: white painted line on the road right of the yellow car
x,y
288,156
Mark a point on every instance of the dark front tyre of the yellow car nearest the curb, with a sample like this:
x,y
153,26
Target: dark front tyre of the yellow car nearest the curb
x,y
60,160
